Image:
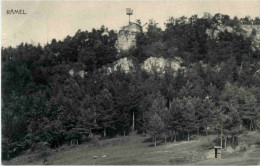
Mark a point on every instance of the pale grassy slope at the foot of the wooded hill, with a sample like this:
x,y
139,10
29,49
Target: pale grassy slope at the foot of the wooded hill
x,y
134,150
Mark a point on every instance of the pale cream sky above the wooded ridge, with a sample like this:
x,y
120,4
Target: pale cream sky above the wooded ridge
x,y
45,20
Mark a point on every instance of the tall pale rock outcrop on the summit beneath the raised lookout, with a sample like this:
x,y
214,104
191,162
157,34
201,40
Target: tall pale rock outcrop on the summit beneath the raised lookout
x,y
127,36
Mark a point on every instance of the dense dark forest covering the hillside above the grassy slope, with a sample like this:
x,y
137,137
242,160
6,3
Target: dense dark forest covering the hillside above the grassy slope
x,y
217,90
